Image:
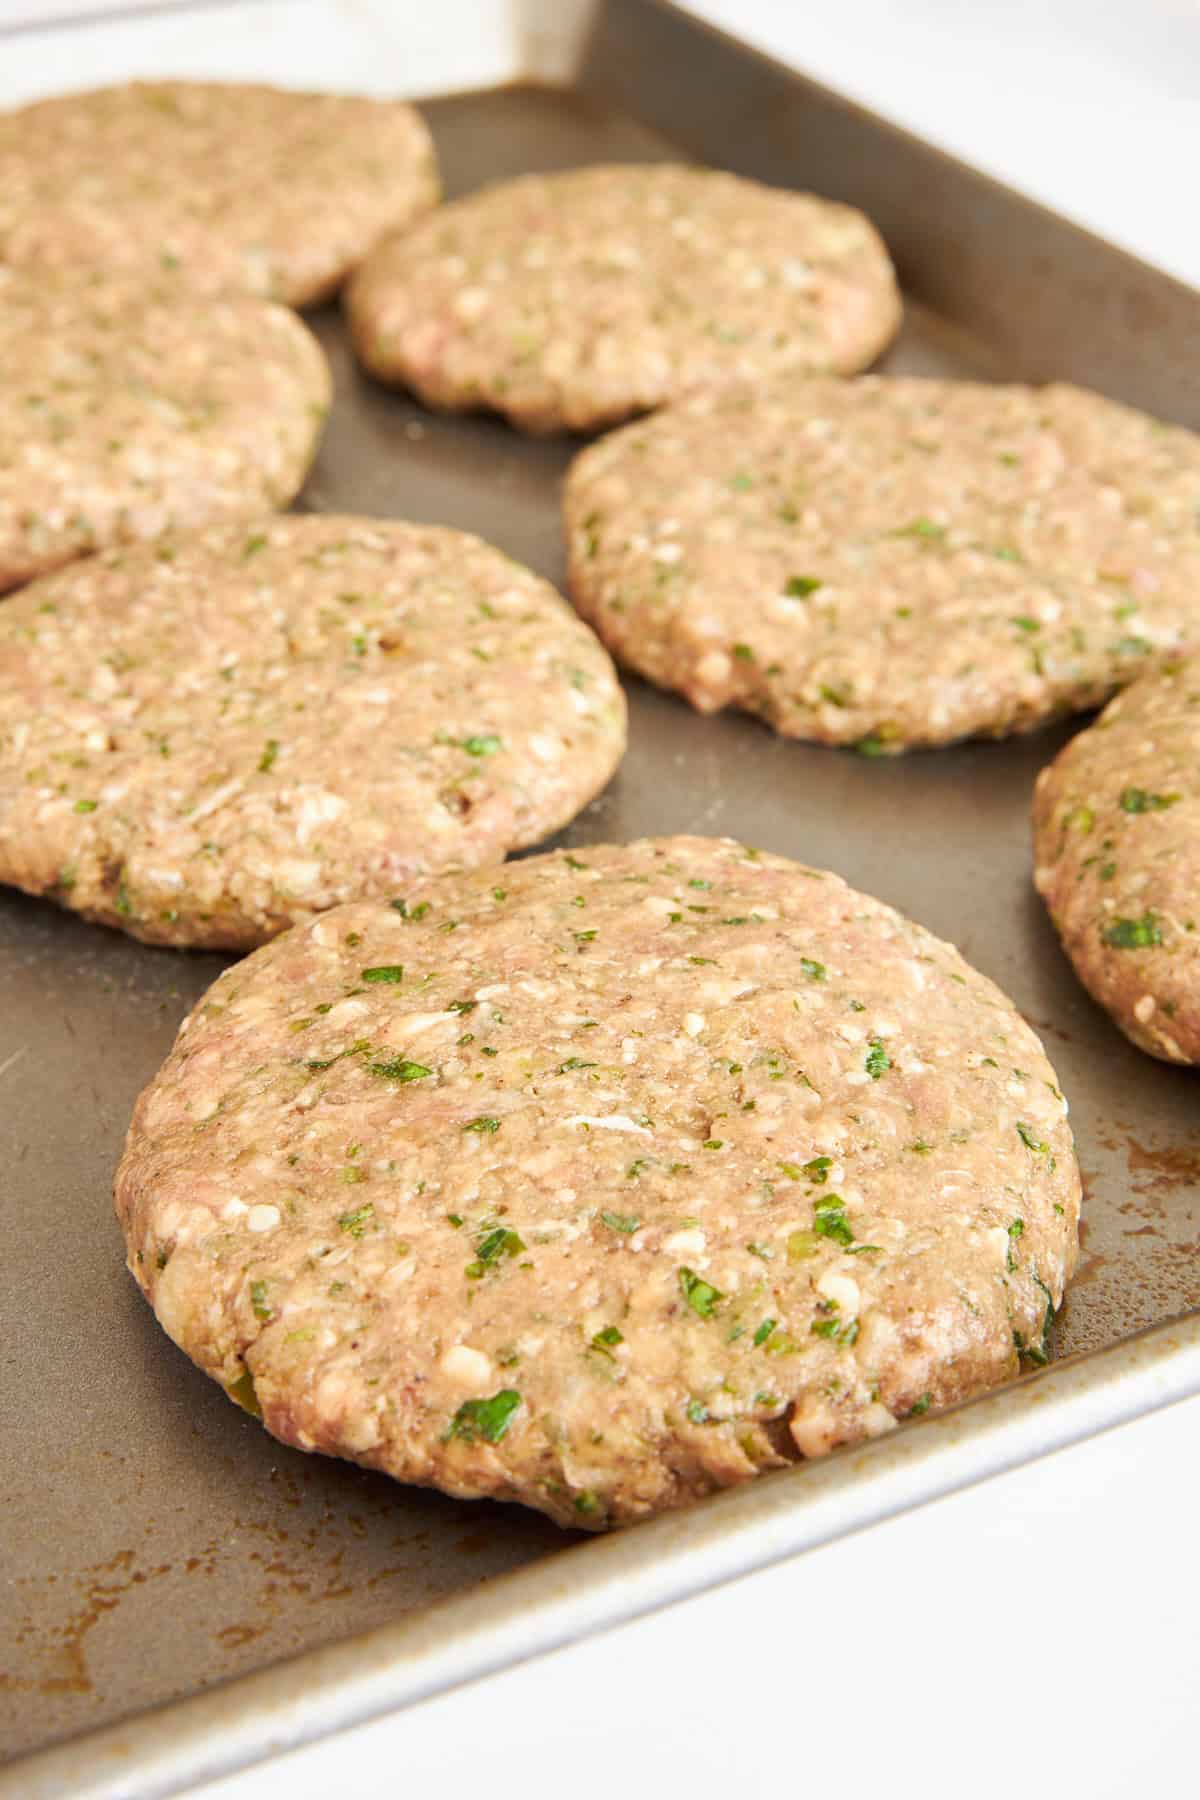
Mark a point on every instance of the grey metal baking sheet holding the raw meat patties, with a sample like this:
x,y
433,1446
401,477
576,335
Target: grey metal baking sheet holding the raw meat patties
x,y
156,1540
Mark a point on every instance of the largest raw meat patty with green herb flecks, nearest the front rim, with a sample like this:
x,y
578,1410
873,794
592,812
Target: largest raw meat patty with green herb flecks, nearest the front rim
x,y
604,1183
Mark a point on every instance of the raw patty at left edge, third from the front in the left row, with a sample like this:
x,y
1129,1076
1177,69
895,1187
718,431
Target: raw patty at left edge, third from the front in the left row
x,y
125,415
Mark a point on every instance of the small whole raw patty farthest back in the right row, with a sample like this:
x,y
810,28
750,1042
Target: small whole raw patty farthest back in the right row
x,y
578,300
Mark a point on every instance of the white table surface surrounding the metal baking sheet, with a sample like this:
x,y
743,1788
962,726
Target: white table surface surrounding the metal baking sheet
x,y
1037,1632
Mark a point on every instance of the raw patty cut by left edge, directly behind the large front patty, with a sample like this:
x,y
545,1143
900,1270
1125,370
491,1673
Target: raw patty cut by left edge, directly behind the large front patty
x,y
213,737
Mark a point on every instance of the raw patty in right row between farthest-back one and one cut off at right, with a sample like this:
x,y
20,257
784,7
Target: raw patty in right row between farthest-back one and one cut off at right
x,y
890,562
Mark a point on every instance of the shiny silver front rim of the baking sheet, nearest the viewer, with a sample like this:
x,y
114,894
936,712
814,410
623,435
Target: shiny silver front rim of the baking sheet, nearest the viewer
x,y
614,1581
